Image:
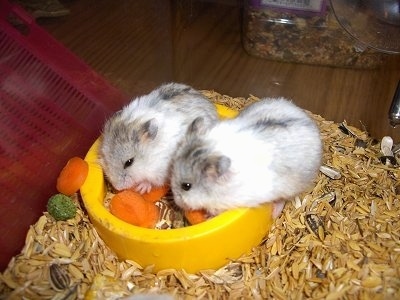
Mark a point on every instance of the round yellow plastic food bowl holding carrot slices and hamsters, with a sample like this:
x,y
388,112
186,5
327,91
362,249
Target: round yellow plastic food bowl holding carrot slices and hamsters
x,y
208,245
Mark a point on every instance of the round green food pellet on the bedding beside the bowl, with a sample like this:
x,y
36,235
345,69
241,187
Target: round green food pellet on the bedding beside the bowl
x,y
61,207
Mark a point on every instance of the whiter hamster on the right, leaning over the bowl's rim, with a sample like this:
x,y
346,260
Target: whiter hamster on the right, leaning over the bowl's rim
x,y
269,153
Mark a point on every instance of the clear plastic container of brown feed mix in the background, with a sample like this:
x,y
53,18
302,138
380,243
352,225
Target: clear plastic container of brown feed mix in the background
x,y
303,31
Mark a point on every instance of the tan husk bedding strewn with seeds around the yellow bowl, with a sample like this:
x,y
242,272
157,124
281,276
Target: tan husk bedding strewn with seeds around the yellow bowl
x,y
340,239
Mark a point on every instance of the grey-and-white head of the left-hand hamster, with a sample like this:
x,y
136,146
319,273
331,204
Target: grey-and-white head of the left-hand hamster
x,y
124,153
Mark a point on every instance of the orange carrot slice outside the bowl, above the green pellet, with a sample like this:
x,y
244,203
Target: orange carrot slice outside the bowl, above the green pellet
x,y
72,176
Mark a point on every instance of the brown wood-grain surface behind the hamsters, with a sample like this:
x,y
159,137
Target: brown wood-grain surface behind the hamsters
x,y
140,44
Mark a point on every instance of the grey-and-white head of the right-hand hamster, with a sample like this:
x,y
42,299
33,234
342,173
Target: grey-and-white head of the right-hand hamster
x,y
197,171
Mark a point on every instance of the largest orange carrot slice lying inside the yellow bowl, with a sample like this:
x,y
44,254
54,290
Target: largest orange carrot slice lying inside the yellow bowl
x,y
130,207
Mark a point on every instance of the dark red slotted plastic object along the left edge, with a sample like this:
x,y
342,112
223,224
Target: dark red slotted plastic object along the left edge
x,y
52,107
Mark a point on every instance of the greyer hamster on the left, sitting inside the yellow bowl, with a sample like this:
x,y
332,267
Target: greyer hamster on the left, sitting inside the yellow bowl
x,y
138,142
